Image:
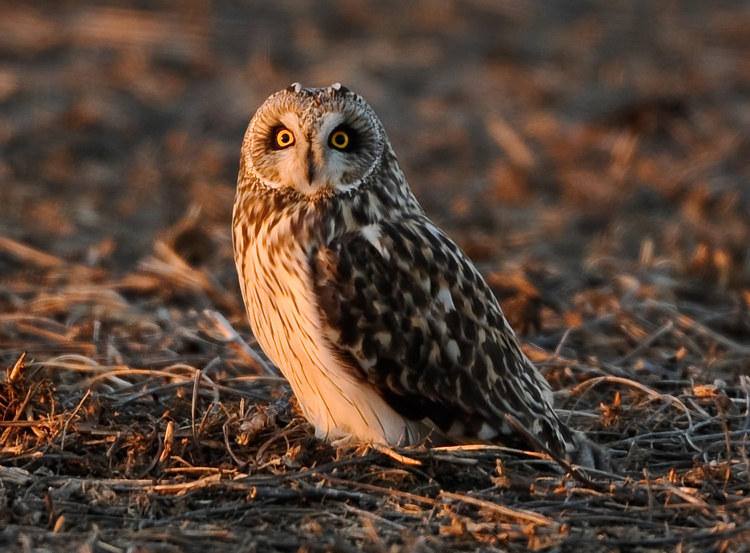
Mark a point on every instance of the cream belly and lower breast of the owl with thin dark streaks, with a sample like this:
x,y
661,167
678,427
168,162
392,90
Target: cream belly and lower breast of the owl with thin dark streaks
x,y
286,320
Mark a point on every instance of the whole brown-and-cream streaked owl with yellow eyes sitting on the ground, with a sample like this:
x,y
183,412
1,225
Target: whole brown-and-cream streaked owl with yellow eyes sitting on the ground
x,y
384,328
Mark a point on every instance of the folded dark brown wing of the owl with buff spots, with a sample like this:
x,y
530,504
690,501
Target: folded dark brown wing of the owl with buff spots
x,y
406,310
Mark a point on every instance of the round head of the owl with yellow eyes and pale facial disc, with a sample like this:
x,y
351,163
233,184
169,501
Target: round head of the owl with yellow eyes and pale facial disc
x,y
313,141
